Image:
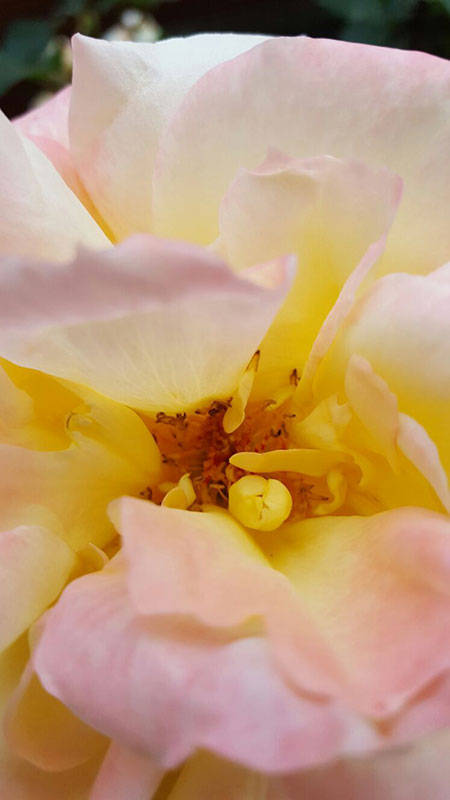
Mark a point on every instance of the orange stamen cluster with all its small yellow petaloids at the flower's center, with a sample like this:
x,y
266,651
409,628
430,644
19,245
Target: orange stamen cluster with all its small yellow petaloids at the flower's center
x,y
207,455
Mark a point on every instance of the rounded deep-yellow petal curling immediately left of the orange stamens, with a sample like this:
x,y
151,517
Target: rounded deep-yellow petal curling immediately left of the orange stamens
x,y
108,451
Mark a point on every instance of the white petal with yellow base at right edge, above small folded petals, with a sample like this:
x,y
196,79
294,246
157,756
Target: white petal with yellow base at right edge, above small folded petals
x,y
401,326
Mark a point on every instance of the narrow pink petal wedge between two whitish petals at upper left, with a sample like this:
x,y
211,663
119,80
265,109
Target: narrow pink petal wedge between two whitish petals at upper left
x,y
48,127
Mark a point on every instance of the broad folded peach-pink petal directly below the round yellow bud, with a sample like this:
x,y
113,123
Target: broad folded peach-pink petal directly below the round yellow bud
x,y
397,559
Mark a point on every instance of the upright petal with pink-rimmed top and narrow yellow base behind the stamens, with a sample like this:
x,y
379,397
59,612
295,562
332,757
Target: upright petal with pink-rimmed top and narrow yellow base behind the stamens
x,y
325,210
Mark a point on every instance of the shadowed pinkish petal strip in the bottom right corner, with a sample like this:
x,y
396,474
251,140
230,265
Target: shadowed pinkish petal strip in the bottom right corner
x,y
420,772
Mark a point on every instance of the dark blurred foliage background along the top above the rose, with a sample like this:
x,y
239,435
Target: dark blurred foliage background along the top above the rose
x,y
35,54
